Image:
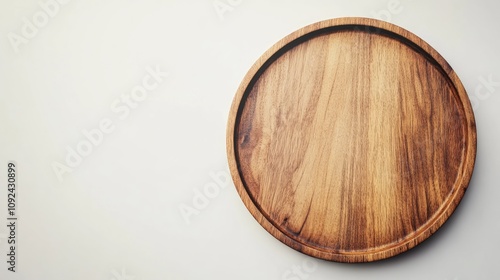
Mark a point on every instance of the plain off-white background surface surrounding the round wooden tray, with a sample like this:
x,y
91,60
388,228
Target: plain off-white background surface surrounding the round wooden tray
x,y
117,214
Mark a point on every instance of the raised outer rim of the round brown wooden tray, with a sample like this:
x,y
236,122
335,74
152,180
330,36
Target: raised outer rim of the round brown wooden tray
x,y
427,229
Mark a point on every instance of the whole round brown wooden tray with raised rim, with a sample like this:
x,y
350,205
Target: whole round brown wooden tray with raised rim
x,y
351,140
